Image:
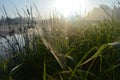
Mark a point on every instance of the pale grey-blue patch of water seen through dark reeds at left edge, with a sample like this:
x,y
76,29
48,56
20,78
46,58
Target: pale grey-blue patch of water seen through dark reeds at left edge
x,y
15,41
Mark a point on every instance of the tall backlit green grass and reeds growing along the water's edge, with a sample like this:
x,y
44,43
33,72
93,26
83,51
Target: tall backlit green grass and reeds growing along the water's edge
x,y
64,49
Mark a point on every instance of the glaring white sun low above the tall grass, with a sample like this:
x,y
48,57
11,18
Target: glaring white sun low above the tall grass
x,y
70,7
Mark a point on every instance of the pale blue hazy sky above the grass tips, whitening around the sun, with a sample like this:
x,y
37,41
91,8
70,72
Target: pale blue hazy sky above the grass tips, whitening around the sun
x,y
46,6
